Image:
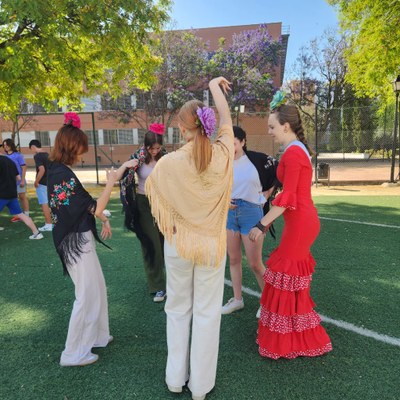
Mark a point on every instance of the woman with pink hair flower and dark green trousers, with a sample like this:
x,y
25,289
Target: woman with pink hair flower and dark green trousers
x,y
146,229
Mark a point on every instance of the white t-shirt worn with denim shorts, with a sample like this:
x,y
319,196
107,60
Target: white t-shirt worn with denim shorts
x,y
246,181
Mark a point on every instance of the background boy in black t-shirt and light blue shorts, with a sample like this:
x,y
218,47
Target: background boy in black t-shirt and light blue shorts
x,y
41,159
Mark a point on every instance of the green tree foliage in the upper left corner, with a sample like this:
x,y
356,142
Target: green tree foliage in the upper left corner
x,y
65,49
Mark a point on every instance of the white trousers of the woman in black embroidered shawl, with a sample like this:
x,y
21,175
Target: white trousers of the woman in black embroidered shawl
x,y
88,325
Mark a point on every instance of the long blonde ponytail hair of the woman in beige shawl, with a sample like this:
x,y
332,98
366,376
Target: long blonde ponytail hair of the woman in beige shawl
x,y
202,150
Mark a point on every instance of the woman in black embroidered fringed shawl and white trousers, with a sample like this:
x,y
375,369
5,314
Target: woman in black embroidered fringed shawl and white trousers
x,y
73,212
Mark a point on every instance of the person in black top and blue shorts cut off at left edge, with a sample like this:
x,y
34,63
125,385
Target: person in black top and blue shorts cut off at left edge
x,y
8,195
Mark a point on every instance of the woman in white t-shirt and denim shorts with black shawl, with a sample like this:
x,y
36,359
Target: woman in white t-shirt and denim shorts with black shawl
x,y
254,179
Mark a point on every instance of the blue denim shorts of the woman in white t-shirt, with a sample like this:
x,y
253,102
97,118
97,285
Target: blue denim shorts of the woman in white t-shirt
x,y
243,218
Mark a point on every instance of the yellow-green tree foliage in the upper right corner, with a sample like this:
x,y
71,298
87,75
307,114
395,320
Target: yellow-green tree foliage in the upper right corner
x,y
373,28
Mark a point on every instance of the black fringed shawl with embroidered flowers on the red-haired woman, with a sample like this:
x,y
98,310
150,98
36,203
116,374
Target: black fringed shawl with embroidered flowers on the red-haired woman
x,y
72,211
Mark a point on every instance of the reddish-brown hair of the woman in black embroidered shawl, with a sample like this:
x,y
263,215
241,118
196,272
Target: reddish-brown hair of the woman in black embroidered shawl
x,y
70,142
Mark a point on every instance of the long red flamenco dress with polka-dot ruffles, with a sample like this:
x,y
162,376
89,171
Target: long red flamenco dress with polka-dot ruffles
x,y
288,326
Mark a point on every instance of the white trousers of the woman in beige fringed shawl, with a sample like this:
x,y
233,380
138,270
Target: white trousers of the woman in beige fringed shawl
x,y
194,295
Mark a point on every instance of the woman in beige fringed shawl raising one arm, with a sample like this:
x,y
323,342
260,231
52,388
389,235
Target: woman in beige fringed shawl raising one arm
x,y
189,192
